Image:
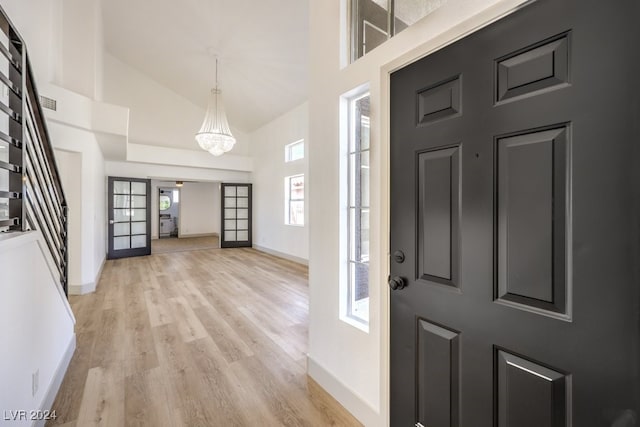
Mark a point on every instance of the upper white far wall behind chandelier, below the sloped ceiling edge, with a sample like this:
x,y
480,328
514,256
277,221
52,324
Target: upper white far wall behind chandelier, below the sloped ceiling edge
x,y
158,115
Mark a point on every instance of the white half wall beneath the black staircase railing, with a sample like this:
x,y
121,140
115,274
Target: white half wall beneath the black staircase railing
x,y
36,327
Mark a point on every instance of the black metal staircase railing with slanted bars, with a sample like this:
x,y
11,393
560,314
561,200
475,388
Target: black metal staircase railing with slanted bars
x,y
31,194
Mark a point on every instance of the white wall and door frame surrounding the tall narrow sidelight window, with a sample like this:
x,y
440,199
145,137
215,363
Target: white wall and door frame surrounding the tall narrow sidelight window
x,y
357,374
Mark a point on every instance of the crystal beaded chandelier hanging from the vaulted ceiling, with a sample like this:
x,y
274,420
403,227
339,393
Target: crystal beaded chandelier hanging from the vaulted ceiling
x,y
214,135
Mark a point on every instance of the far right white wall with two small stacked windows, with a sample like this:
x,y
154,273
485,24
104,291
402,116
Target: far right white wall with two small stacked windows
x,y
269,170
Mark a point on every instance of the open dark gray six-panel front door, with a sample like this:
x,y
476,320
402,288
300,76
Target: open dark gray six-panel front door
x,y
514,223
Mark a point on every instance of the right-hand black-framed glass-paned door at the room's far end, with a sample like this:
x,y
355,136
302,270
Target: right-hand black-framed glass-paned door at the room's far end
x,y
236,216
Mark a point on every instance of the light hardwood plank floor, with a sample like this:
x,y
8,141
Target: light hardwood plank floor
x,y
199,338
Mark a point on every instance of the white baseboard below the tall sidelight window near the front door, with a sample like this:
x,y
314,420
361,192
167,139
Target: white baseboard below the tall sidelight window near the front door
x,y
352,402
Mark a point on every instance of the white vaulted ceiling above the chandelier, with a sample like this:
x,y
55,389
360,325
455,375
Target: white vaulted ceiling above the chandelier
x,y
261,45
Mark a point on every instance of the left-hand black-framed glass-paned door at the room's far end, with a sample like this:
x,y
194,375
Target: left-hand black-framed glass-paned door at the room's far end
x,y
129,217
